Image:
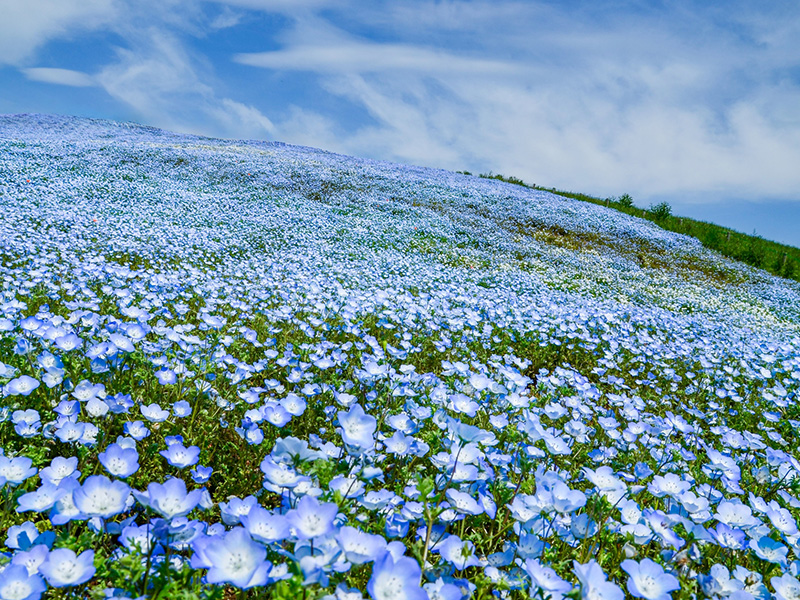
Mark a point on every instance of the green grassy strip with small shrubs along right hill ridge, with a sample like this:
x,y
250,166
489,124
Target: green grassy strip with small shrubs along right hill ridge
x,y
779,259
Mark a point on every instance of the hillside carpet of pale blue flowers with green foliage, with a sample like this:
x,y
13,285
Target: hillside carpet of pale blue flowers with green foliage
x,y
246,369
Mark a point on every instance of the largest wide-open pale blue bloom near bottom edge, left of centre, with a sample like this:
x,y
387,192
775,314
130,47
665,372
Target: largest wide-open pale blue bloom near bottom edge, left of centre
x,y
232,558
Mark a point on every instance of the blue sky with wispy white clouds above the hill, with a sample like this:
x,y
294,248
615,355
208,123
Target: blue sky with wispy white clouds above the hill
x,y
693,103
